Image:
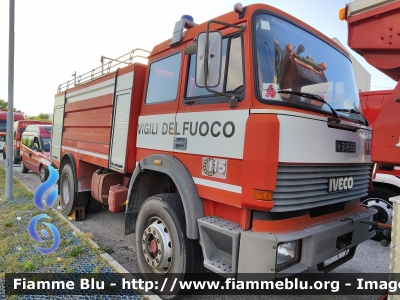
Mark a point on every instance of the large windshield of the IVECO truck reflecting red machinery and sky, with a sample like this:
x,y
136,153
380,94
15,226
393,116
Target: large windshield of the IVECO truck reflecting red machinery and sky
x,y
291,59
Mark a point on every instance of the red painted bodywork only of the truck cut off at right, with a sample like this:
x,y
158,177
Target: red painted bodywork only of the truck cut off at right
x,y
381,48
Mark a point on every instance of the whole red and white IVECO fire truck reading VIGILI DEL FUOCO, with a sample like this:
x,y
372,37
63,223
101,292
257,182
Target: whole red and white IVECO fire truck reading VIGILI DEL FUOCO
x,y
235,147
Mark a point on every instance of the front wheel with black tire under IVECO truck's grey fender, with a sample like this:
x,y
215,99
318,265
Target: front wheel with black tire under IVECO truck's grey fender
x,y
161,240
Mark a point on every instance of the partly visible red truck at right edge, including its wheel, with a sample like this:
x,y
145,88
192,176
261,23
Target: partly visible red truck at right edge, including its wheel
x,y
381,48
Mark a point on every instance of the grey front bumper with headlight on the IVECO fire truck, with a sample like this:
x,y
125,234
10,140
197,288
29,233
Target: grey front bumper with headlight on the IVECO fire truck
x,y
257,252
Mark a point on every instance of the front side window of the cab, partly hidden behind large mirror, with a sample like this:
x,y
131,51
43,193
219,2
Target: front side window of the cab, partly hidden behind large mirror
x,y
231,70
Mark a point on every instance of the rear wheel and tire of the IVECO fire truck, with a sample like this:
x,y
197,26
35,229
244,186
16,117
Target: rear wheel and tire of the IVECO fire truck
x,y
68,197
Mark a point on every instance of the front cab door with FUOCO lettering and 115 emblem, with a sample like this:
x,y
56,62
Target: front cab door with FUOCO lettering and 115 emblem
x,y
209,138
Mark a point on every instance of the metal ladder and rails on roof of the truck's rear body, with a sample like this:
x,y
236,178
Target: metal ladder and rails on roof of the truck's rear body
x,y
105,68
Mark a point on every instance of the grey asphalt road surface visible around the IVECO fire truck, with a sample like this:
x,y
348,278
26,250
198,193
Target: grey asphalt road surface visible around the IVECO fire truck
x,y
107,229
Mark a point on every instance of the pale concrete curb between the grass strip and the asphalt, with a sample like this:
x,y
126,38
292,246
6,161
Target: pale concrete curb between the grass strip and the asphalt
x,y
111,261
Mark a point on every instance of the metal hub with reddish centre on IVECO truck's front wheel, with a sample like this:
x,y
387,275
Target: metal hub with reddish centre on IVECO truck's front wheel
x,y
157,246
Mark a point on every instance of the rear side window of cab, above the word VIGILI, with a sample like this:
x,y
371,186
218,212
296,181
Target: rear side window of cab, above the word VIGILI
x,y
163,79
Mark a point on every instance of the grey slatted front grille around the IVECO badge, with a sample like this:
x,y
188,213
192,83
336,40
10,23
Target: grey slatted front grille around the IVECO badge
x,y
303,187
